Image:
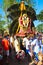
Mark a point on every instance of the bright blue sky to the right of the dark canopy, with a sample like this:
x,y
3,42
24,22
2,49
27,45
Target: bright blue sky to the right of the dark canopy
x,y
39,7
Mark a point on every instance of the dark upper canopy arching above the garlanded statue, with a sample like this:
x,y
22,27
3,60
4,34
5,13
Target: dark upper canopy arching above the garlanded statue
x,y
15,10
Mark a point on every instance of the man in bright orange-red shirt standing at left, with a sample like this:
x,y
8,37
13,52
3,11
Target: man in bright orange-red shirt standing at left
x,y
5,44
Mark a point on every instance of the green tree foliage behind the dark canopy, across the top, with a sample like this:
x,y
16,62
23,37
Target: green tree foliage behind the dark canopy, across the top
x,y
8,3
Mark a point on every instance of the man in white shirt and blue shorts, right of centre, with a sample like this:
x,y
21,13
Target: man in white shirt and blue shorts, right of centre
x,y
27,45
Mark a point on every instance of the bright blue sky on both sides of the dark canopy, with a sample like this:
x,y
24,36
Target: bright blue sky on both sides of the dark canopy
x,y
39,7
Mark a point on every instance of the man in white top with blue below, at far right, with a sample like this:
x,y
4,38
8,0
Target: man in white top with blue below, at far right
x,y
36,47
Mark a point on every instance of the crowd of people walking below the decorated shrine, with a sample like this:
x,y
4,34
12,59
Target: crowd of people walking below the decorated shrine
x,y
29,46
